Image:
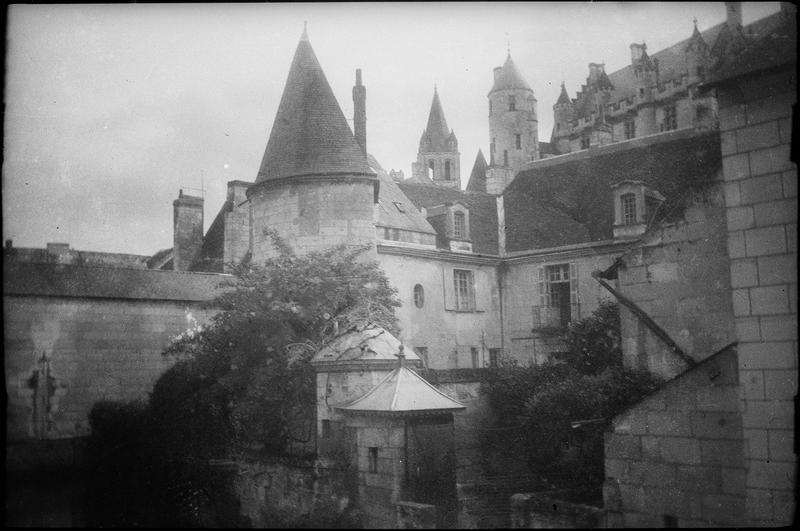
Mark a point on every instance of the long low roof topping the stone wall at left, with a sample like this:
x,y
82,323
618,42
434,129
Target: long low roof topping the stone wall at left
x,y
57,280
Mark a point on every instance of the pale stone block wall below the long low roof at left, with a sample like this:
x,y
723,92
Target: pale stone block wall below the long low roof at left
x,y
87,350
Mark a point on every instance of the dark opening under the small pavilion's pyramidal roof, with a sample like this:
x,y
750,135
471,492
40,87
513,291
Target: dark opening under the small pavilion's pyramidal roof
x,y
431,471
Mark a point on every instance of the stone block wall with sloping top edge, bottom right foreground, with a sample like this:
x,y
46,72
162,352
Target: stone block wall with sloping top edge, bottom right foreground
x,y
676,458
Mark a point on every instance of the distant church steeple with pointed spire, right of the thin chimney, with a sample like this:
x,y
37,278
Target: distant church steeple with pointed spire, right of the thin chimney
x,y
438,157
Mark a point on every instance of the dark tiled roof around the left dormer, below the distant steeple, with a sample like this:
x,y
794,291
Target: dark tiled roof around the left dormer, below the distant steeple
x,y
482,211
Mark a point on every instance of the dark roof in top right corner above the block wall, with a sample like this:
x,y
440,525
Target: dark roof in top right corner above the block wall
x,y
776,46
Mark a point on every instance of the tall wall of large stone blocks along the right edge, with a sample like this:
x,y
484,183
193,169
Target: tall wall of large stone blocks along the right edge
x,y
755,115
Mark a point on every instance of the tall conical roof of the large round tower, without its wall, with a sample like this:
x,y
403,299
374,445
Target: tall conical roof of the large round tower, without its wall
x,y
310,135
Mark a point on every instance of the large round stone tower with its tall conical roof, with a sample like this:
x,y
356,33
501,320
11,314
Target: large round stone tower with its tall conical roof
x,y
314,187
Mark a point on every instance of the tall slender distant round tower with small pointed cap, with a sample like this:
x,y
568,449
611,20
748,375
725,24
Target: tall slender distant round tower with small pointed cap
x,y
513,126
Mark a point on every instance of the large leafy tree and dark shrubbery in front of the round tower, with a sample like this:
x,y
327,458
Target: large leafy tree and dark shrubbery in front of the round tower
x,y
241,383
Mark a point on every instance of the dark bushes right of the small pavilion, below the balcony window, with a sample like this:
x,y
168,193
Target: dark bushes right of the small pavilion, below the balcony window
x,y
553,416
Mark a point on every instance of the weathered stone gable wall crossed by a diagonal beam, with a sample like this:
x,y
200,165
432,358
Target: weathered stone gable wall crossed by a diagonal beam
x,y
679,276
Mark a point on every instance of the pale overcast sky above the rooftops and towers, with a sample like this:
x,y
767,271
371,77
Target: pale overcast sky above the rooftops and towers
x,y
110,109
